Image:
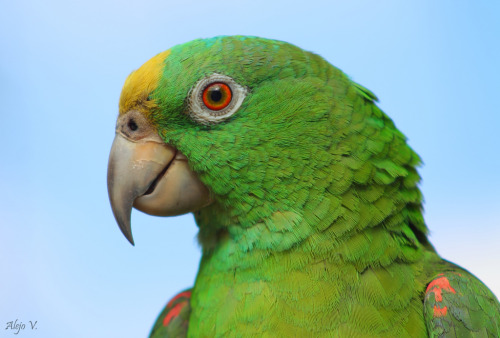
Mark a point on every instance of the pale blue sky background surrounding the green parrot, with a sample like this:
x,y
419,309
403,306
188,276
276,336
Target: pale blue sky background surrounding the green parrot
x,y
63,261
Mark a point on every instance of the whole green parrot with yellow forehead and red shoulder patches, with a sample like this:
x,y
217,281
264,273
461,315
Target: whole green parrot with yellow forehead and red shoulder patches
x,y
305,194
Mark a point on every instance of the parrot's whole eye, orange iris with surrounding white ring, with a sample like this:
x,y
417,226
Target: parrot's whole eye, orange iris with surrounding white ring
x,y
214,99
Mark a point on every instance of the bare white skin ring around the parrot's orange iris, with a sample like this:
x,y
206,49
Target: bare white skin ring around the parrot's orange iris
x,y
200,113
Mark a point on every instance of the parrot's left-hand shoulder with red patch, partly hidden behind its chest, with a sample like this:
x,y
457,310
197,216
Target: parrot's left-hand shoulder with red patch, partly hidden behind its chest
x,y
173,320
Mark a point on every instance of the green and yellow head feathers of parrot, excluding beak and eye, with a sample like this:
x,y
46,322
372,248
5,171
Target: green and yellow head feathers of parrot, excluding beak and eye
x,y
307,152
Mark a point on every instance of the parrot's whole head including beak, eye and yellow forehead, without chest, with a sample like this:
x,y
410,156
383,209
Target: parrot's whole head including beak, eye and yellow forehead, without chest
x,y
244,131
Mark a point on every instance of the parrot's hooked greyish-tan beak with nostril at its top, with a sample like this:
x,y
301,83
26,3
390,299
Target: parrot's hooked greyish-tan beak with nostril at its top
x,y
149,175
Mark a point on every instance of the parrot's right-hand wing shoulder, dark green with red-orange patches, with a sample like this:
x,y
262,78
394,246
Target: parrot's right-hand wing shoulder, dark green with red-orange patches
x,y
457,304
